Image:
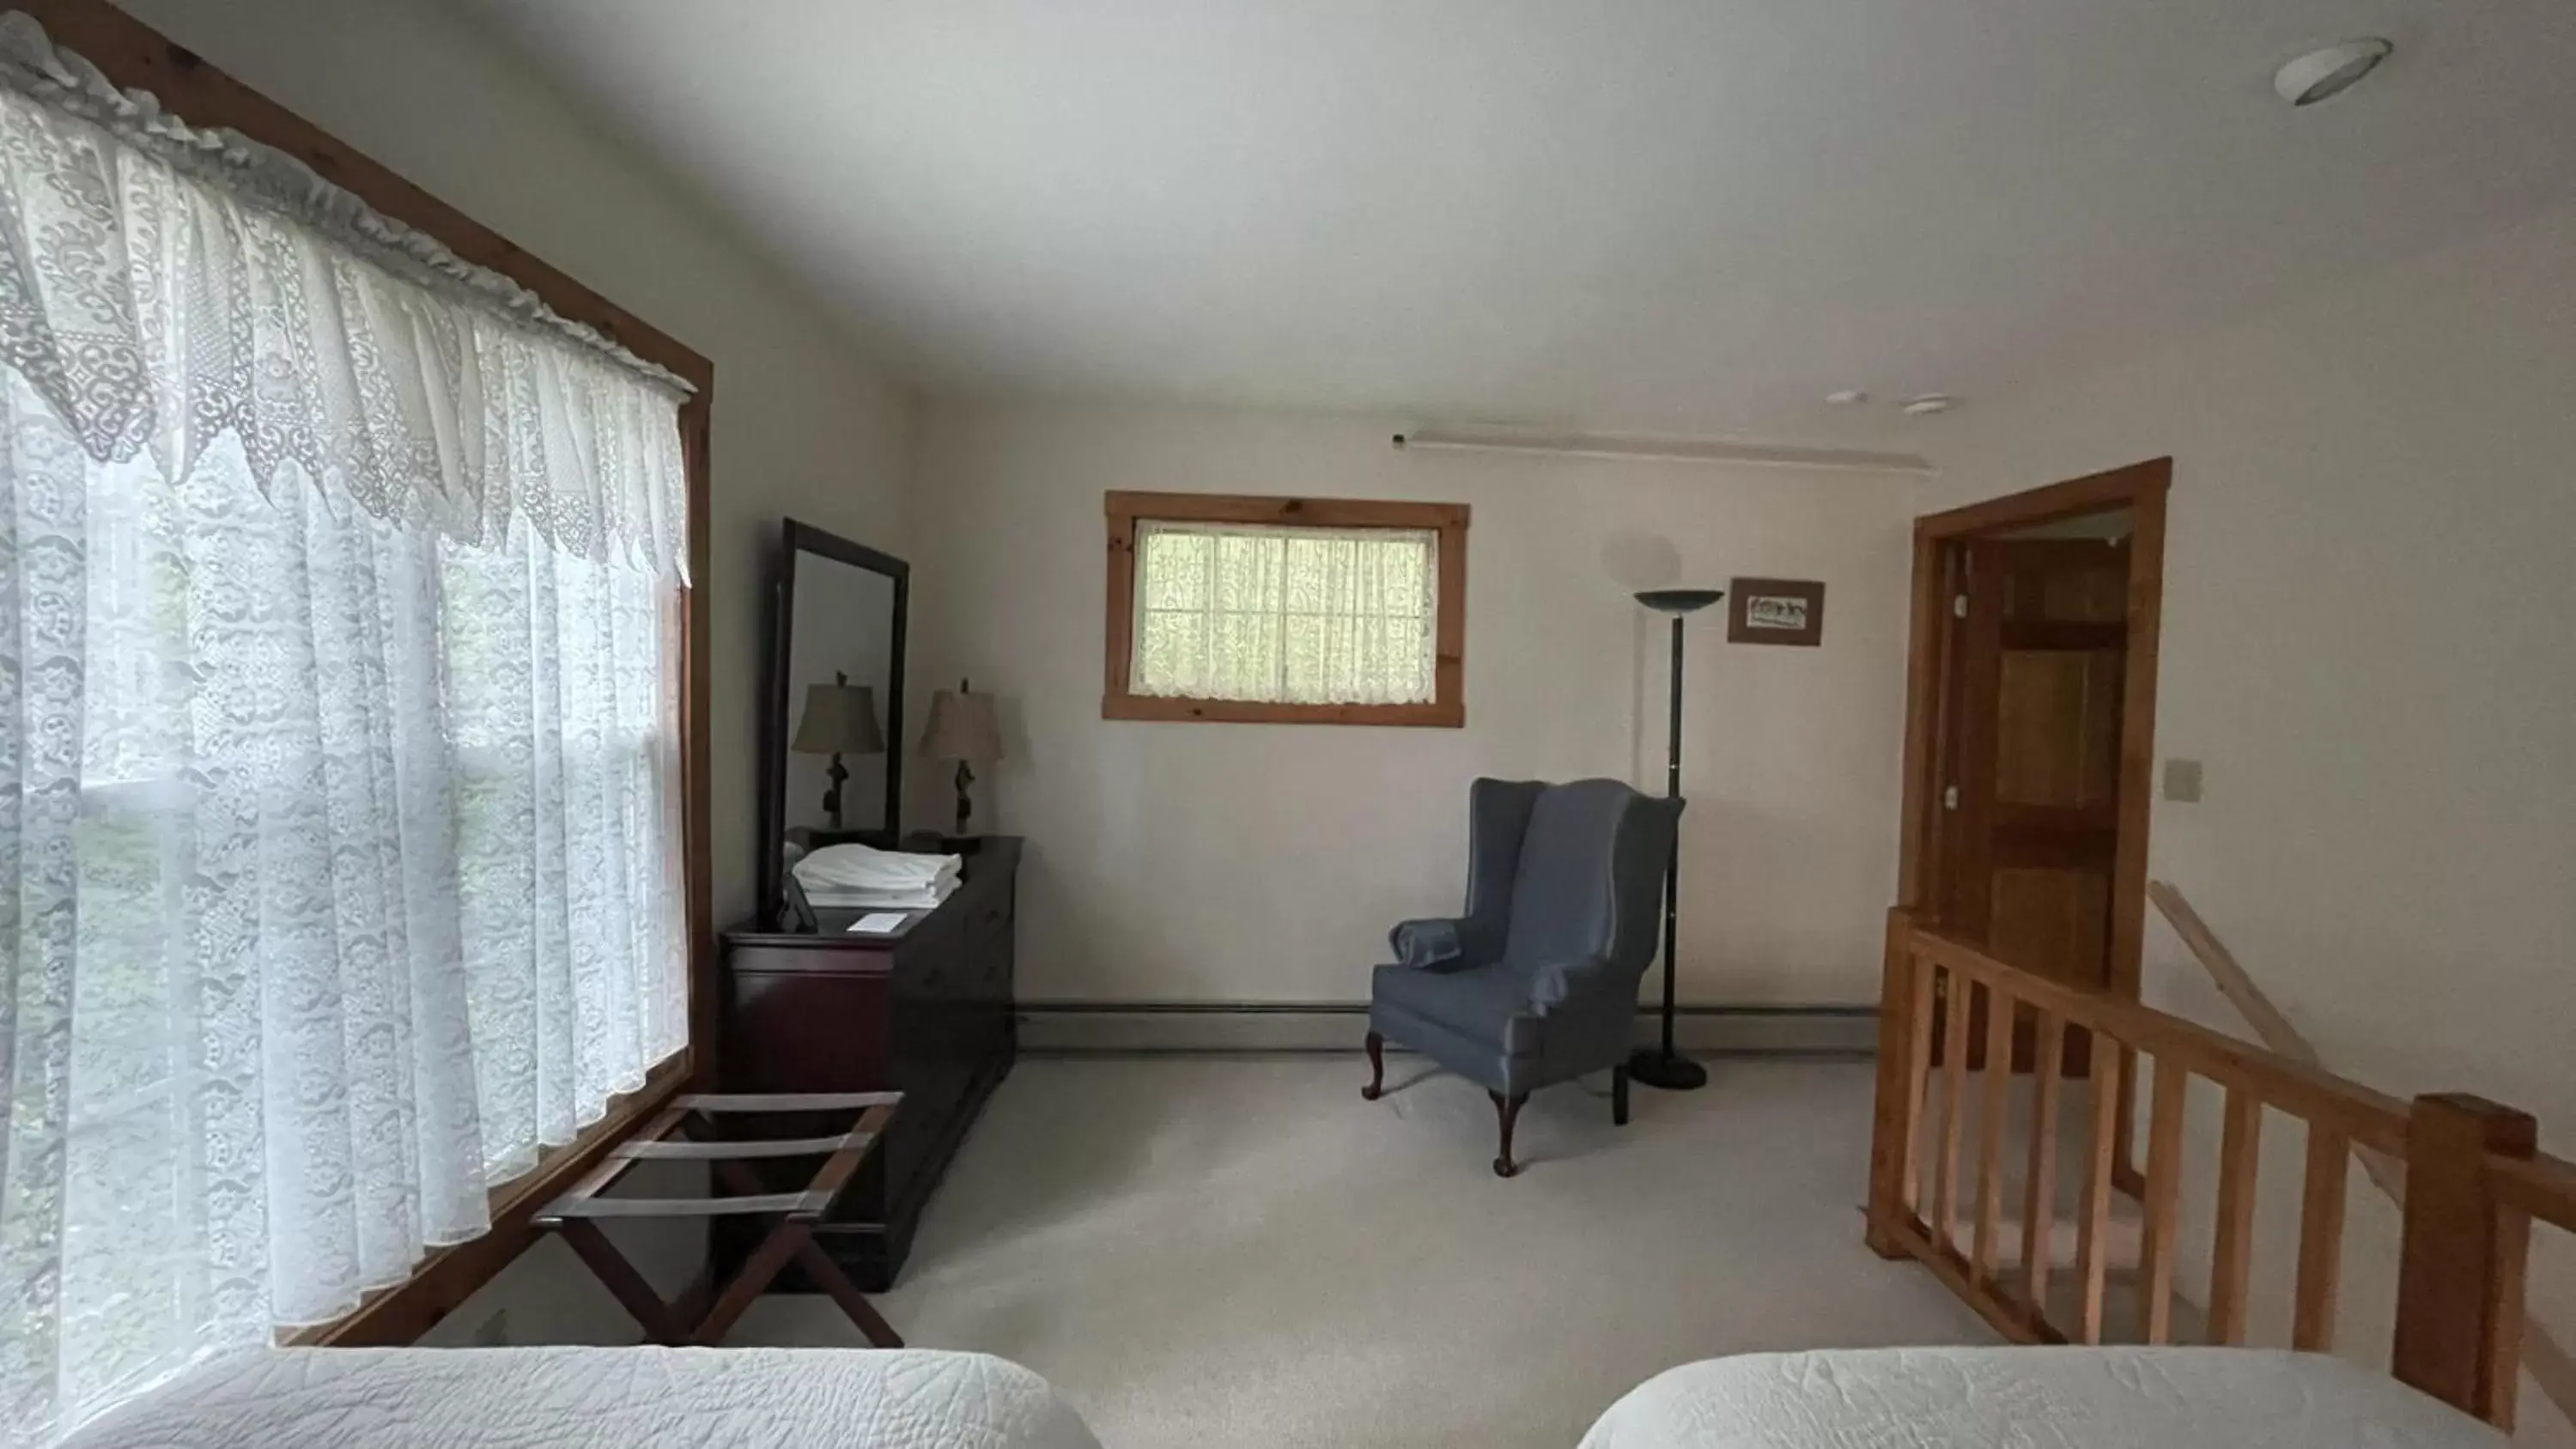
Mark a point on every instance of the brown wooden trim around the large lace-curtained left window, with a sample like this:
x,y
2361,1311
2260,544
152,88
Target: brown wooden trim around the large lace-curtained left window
x,y
140,58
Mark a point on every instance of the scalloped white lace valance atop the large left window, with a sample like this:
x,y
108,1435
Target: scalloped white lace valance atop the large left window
x,y
166,287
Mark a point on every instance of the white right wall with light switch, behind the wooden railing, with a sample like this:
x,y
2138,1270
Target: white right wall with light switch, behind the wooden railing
x,y
2369,642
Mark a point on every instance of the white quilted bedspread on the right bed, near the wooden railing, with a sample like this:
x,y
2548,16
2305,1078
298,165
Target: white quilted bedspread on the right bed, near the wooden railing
x,y
2034,1399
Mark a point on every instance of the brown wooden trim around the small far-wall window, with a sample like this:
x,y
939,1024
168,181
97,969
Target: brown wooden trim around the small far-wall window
x,y
1449,647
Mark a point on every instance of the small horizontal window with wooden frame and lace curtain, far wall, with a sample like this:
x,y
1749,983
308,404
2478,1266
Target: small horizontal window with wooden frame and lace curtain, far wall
x,y
1287,611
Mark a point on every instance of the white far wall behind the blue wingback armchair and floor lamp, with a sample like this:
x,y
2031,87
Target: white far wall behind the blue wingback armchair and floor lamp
x,y
1266,863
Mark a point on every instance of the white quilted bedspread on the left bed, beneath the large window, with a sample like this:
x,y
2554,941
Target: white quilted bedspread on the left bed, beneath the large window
x,y
607,1399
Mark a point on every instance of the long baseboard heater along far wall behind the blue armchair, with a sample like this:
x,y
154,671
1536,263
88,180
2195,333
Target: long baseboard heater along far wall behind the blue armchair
x,y
1150,1028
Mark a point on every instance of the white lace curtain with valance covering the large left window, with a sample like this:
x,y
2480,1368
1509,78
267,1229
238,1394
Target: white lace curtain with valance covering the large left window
x,y
339,748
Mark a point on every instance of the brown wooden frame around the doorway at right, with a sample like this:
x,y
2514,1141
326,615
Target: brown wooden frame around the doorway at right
x,y
1938,539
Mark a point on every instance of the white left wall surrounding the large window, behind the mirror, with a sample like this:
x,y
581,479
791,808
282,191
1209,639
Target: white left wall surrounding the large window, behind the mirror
x,y
802,421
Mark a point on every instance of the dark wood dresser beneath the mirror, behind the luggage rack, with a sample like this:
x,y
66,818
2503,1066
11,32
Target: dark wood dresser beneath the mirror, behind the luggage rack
x,y
926,1013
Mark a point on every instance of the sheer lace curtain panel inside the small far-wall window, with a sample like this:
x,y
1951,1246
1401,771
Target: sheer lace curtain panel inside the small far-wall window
x,y
1302,616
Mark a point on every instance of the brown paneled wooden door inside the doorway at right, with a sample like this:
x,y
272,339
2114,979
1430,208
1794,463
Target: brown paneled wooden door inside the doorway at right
x,y
2031,758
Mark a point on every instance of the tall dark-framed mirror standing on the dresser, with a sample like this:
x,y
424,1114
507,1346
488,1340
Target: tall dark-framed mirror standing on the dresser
x,y
833,740
